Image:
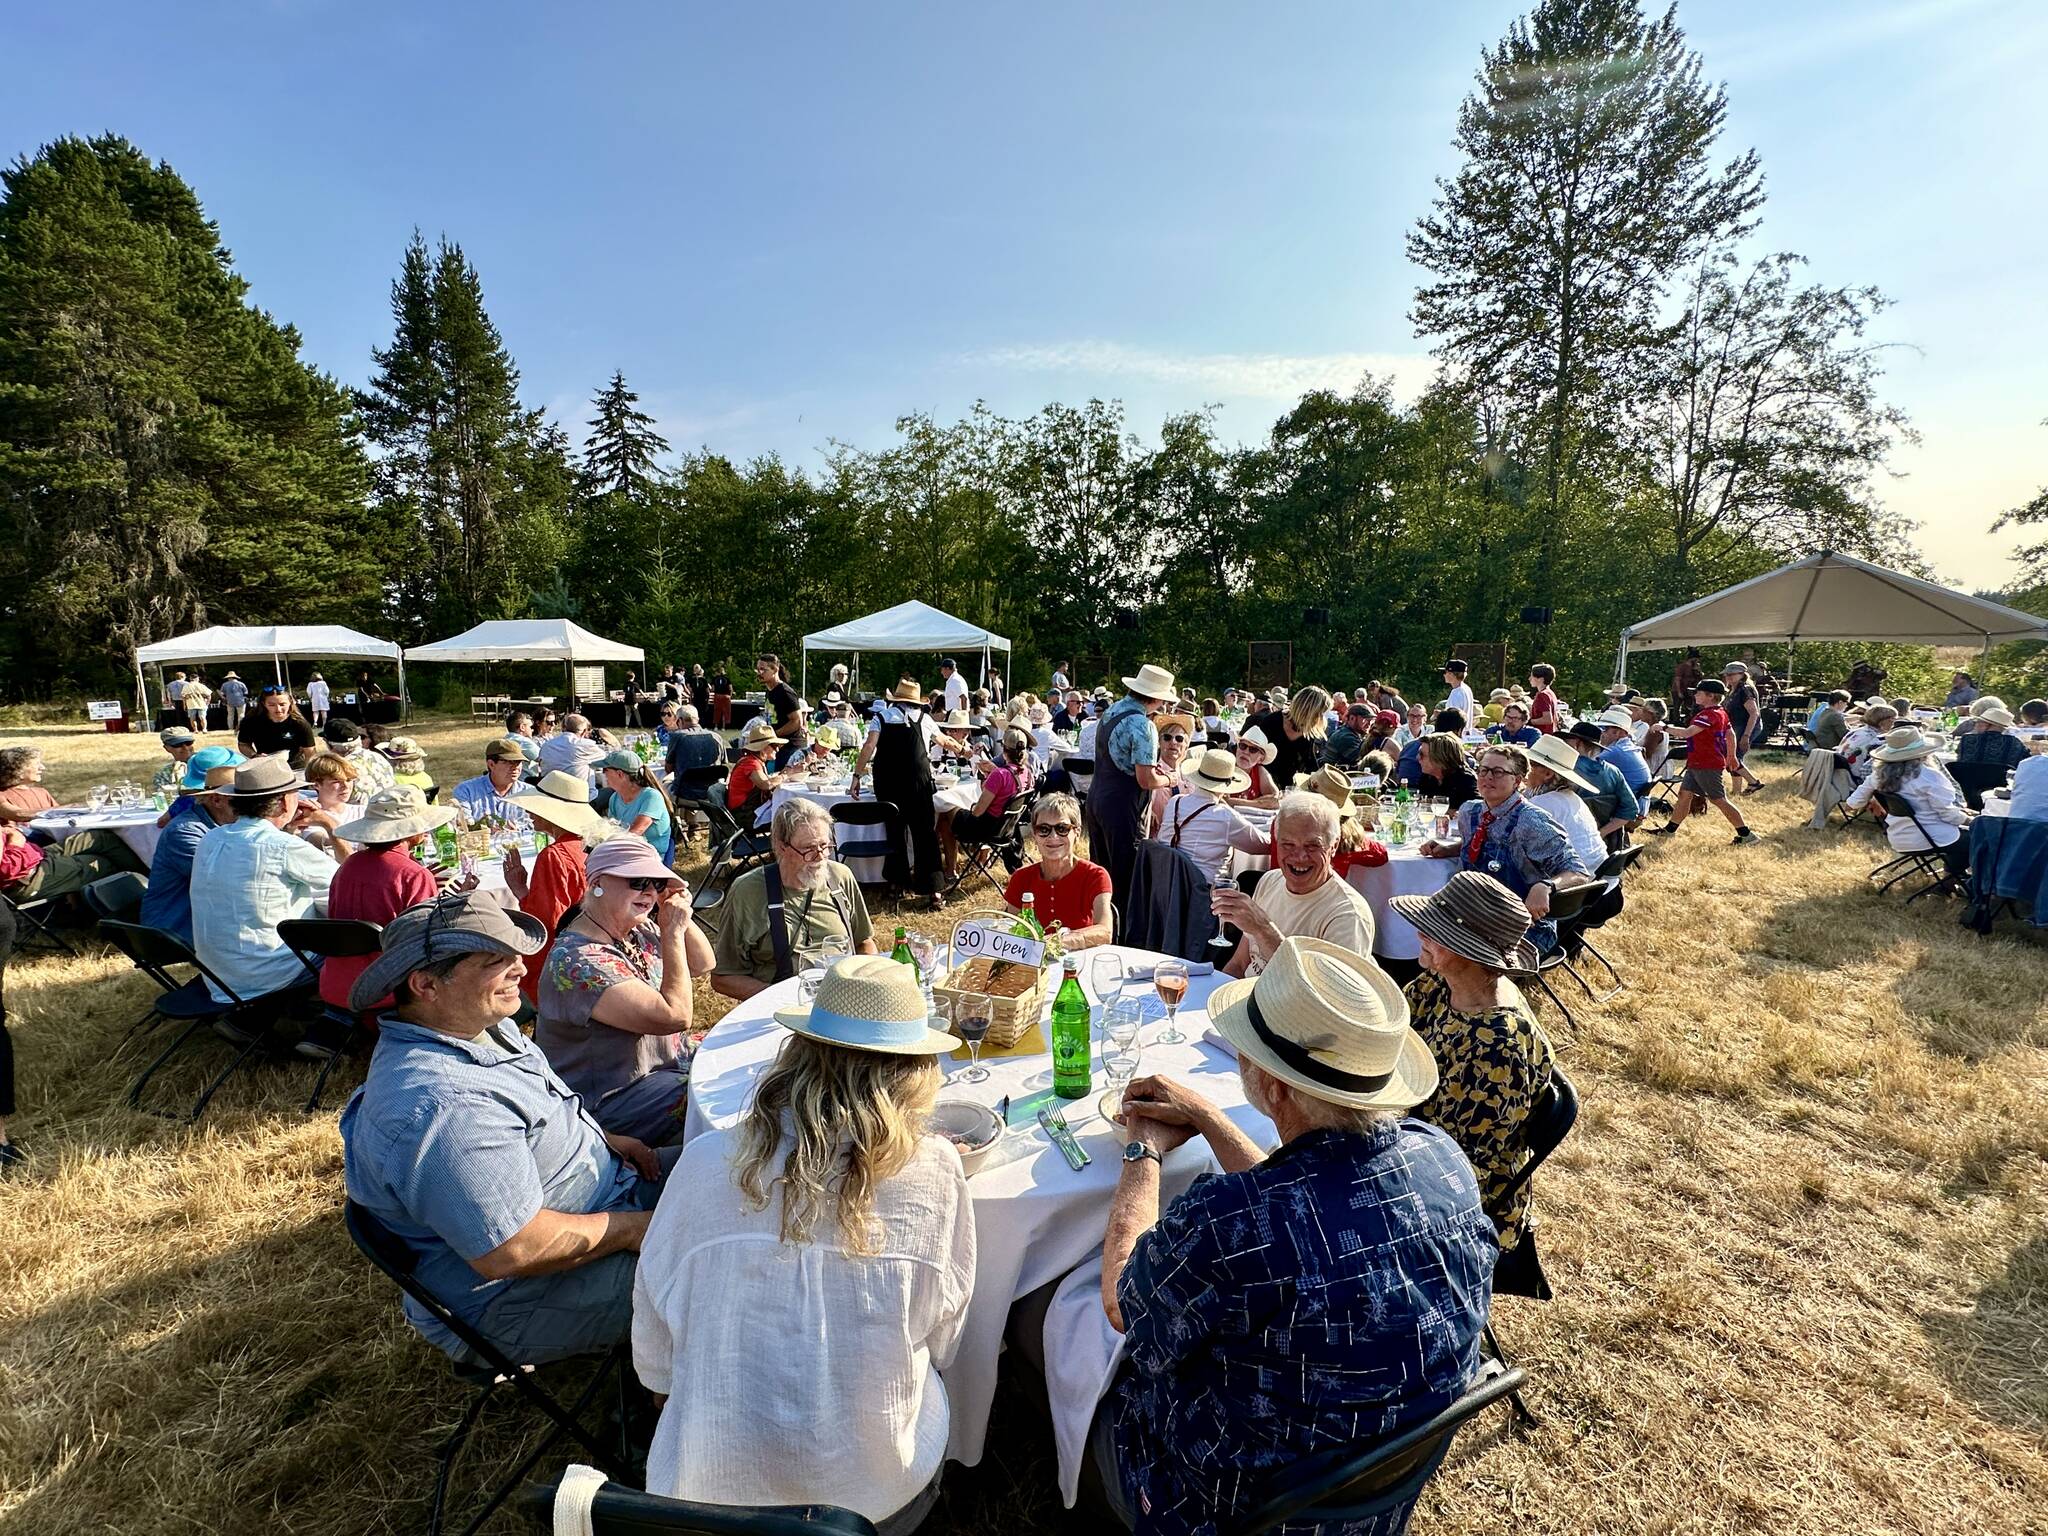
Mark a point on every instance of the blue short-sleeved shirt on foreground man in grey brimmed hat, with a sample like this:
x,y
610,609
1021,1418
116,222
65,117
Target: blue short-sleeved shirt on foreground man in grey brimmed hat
x,y
460,1144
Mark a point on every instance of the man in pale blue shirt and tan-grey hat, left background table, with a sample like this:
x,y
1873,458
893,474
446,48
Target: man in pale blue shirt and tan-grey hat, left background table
x,y
253,873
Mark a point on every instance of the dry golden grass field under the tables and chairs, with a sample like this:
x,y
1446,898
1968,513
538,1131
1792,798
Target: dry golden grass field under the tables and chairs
x,y
1797,1238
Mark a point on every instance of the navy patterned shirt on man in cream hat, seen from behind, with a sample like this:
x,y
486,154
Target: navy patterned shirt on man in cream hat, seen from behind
x,y
1328,1295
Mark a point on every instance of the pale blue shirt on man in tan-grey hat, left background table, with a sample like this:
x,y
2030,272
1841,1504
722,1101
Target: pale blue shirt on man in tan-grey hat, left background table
x,y
247,880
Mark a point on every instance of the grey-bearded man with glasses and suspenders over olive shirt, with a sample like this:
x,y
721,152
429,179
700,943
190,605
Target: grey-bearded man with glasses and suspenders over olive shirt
x,y
792,914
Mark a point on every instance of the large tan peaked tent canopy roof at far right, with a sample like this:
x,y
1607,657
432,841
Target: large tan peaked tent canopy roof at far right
x,y
1834,597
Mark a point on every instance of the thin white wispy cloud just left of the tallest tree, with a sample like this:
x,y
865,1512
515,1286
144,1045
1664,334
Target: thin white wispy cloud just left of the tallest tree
x,y
1261,376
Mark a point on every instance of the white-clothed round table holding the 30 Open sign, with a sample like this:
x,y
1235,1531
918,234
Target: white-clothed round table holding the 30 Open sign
x,y
1035,1218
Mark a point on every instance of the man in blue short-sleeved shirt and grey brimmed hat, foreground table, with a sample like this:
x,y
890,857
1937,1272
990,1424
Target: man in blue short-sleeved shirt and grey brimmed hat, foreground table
x,y
464,1142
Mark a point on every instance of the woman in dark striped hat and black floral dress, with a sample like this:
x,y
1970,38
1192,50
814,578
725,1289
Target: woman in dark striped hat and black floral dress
x,y
1492,1056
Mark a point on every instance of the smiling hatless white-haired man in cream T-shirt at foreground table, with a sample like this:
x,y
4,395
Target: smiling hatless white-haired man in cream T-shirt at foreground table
x,y
1302,896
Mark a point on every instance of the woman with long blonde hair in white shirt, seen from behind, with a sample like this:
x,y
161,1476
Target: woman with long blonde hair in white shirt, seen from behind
x,y
845,1228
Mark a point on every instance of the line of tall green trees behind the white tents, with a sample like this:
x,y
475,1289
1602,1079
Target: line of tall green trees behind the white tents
x,y
1637,402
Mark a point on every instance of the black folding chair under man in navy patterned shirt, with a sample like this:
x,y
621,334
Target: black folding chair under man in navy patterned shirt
x,y
1369,1480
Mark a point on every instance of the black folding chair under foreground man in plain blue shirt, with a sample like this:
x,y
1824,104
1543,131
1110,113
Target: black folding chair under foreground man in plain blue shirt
x,y
390,1254
